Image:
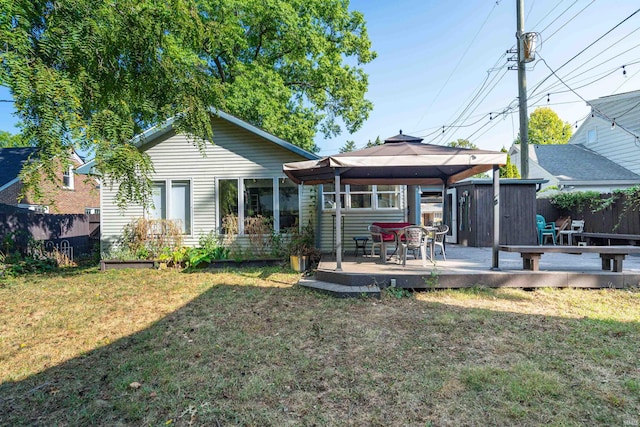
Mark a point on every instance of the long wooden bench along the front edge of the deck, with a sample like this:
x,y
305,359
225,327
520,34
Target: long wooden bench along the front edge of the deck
x,y
611,256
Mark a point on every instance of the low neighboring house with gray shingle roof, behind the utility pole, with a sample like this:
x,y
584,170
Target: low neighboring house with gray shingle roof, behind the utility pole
x,y
573,167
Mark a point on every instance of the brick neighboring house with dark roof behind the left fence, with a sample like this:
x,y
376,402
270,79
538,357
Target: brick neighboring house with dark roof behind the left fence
x,y
70,195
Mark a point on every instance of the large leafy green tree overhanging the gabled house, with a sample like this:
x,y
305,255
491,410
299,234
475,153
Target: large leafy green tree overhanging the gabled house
x,y
91,74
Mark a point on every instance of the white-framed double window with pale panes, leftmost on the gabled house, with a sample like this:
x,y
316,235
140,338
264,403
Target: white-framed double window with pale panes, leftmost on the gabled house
x,y
177,203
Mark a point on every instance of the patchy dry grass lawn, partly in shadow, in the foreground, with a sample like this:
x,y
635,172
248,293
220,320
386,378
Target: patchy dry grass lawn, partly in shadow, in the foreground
x,y
250,348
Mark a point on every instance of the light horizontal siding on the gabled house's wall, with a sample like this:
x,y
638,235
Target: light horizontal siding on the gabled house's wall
x,y
236,153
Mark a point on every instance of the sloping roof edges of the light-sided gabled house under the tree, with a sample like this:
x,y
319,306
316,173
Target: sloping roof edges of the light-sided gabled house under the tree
x,y
163,128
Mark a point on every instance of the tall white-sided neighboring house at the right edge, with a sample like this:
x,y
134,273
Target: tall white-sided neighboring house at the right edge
x,y
612,129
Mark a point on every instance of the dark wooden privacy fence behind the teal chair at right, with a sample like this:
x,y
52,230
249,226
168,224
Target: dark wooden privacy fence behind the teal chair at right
x,y
607,220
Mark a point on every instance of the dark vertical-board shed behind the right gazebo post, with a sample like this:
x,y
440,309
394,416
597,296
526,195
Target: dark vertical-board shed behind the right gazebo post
x,y
473,212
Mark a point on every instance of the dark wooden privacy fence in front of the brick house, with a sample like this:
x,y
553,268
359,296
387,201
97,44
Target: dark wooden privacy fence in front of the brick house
x,y
80,232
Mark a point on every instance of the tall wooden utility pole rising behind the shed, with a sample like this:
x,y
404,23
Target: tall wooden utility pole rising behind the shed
x,y
522,94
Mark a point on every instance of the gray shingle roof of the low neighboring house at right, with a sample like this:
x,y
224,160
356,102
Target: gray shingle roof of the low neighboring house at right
x,y
574,162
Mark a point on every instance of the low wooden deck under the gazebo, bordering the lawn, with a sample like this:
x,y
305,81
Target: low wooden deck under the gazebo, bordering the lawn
x,y
469,267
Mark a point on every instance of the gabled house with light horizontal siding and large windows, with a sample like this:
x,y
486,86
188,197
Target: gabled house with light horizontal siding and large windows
x,y
237,177
